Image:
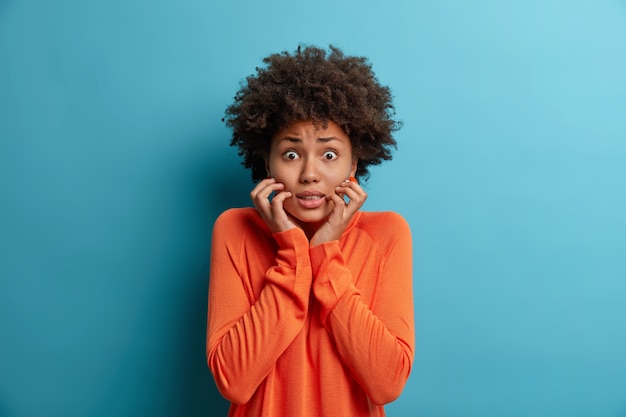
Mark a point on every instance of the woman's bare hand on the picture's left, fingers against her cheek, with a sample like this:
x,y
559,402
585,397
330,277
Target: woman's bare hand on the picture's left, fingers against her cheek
x,y
272,211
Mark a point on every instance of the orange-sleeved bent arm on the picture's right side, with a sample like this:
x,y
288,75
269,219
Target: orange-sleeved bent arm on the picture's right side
x,y
377,345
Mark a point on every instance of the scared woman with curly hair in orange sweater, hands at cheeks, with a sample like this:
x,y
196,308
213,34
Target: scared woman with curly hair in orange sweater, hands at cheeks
x,y
310,299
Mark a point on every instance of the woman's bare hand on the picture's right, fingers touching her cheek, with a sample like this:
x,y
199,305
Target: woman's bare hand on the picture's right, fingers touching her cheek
x,y
342,213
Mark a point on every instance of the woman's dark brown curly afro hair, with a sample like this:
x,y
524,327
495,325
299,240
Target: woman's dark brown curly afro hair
x,y
313,84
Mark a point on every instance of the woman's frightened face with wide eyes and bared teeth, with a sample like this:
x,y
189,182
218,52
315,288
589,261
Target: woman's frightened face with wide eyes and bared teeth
x,y
311,162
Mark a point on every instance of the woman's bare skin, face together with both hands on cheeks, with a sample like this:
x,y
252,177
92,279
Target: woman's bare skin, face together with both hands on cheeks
x,y
309,169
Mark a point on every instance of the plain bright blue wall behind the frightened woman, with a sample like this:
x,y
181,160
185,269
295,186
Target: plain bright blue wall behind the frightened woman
x,y
511,171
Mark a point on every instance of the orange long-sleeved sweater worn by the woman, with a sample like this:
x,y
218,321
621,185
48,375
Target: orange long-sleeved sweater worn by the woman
x,y
300,331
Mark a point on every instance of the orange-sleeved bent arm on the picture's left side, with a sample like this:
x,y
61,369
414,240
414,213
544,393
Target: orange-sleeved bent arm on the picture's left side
x,y
246,336
